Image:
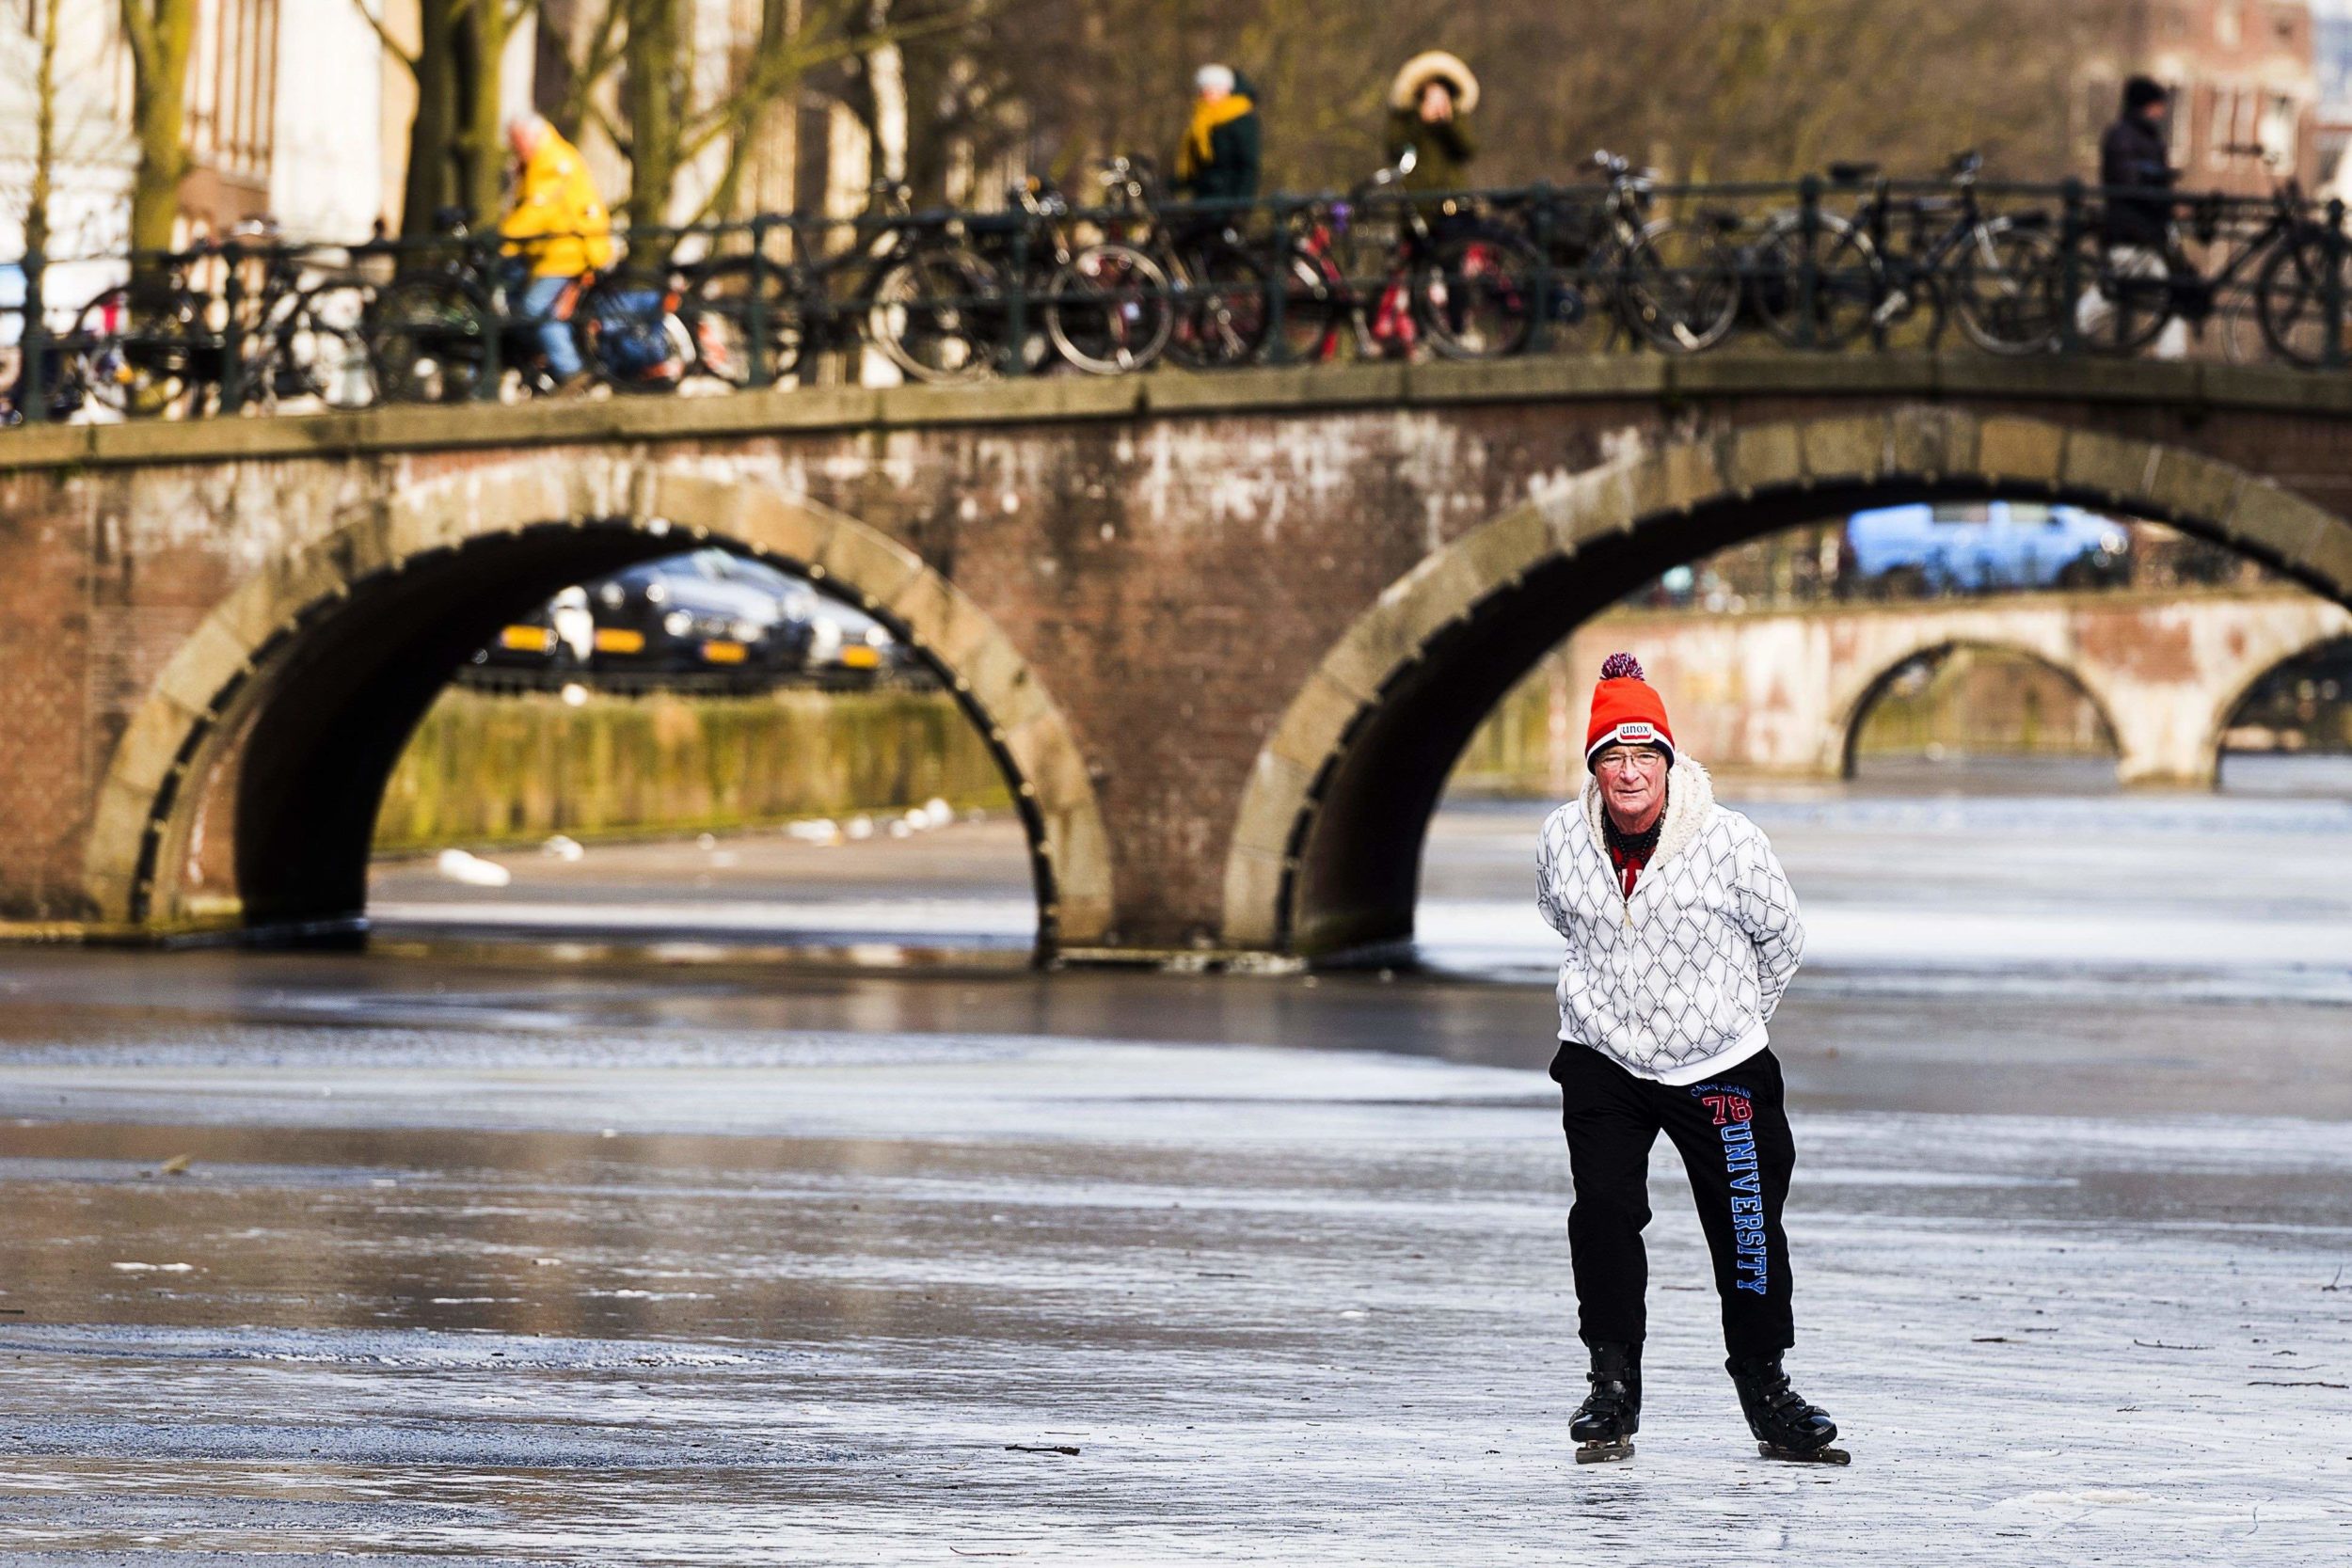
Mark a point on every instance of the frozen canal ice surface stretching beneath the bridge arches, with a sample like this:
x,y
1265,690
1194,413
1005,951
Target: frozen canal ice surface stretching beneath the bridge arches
x,y
472,1254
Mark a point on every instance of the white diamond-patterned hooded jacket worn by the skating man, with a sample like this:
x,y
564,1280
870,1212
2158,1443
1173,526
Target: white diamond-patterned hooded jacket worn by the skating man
x,y
1678,981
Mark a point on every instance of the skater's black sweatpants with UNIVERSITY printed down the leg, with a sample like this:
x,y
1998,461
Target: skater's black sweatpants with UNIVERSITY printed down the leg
x,y
1735,1141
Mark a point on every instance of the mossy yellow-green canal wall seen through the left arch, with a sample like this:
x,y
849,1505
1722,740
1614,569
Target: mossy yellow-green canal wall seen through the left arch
x,y
514,770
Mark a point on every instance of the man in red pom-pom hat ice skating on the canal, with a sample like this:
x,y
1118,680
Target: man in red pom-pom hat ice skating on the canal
x,y
1683,937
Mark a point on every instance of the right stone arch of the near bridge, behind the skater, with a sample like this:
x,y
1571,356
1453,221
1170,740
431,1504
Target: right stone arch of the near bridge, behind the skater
x,y
1325,850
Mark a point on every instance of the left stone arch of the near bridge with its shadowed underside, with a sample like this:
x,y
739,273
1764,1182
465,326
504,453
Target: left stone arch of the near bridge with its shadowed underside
x,y
293,699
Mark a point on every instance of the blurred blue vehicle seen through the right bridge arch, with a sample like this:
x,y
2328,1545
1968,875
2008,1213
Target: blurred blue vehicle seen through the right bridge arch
x,y
1982,547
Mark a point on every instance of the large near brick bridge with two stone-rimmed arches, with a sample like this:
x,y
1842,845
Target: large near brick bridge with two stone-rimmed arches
x,y
1224,634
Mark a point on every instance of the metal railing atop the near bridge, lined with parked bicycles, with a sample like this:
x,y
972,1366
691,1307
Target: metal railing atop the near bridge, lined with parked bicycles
x,y
1838,262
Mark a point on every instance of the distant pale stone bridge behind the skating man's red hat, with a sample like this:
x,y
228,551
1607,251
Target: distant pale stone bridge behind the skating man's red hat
x,y
1789,690
